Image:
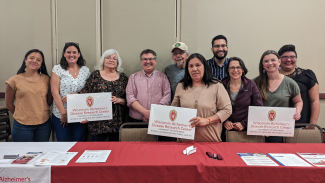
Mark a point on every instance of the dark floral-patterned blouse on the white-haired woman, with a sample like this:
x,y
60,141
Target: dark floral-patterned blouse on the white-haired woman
x,y
96,84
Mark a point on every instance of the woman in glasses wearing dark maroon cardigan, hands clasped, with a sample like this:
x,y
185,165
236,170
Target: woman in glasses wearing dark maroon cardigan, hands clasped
x,y
242,92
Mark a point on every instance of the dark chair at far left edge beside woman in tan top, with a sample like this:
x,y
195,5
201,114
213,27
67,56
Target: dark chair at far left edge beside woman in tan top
x,y
5,130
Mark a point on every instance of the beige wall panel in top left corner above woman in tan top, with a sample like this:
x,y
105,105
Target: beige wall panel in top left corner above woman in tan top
x,y
24,25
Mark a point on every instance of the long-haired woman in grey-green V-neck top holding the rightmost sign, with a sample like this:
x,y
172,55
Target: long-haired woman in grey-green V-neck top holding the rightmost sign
x,y
276,89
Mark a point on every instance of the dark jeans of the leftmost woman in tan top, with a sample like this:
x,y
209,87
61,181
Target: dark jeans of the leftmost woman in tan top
x,y
31,133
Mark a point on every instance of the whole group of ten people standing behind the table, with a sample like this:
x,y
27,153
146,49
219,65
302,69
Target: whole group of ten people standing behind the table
x,y
217,88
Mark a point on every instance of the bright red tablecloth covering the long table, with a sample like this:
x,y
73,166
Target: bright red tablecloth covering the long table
x,y
165,162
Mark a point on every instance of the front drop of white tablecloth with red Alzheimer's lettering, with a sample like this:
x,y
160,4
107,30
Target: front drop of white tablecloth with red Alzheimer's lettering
x,y
25,174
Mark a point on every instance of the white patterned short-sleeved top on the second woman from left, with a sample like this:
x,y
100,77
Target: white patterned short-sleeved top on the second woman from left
x,y
68,84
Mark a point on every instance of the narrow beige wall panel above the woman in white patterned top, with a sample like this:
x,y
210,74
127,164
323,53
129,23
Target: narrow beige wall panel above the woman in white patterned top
x,y
76,22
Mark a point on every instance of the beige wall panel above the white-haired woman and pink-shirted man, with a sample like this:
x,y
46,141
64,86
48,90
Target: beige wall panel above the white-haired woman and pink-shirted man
x,y
132,26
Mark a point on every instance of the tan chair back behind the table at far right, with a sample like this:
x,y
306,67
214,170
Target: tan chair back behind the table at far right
x,y
305,135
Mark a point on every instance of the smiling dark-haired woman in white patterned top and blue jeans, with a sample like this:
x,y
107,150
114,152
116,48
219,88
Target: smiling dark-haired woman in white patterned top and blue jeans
x,y
68,77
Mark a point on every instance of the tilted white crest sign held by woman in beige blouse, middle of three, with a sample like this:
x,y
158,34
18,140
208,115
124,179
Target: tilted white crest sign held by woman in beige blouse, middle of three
x,y
171,121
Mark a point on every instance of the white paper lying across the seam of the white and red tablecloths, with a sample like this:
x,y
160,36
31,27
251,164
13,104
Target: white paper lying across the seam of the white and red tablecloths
x,y
56,158
